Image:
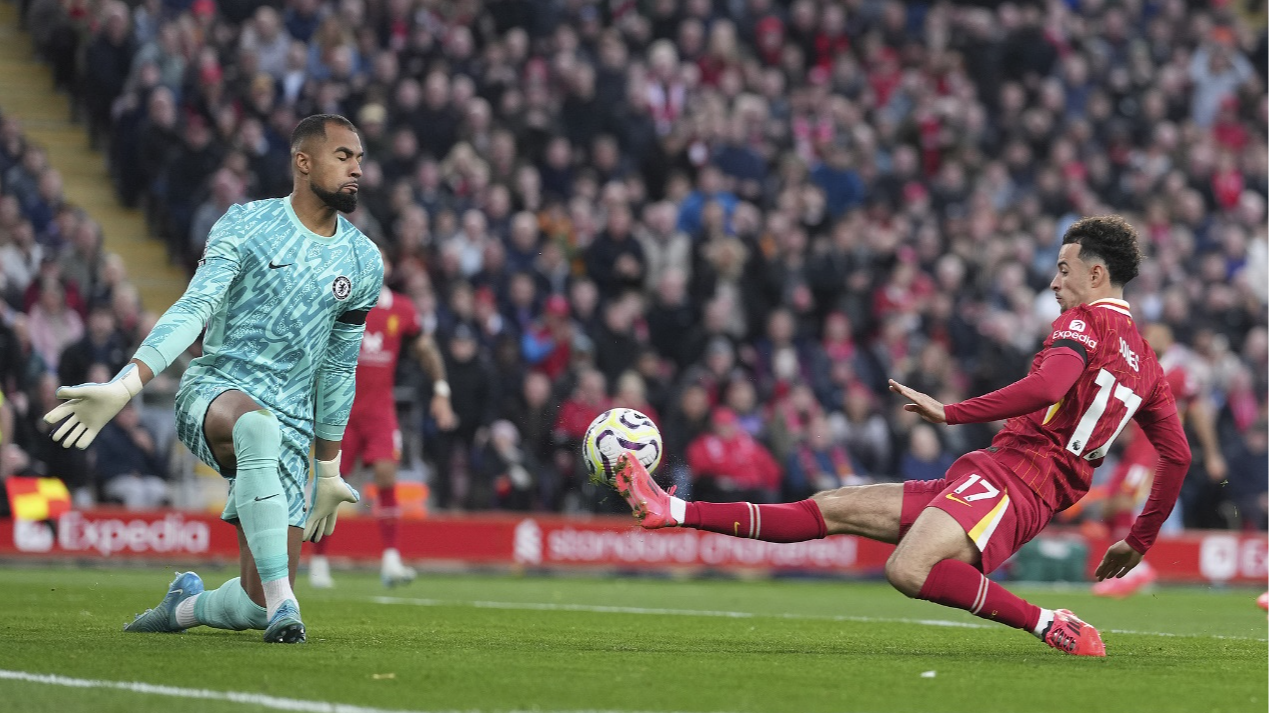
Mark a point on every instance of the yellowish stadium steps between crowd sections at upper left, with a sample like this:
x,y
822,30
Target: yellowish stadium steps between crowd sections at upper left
x,y
27,93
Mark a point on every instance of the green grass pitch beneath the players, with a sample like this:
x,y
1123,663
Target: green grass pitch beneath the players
x,y
497,644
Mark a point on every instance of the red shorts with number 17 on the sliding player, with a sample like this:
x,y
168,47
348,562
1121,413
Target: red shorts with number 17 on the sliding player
x,y
998,512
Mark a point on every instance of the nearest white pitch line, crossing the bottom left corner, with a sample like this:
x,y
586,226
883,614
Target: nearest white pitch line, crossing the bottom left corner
x,y
295,705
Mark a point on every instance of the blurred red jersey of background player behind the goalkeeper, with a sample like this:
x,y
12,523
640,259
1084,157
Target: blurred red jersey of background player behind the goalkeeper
x,y
393,322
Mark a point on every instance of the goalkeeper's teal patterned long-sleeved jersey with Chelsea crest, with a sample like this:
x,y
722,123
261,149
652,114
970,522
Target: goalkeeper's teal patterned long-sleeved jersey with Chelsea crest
x,y
280,304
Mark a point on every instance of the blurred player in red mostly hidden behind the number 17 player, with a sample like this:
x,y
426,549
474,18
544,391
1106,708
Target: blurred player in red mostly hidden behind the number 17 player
x,y
1130,484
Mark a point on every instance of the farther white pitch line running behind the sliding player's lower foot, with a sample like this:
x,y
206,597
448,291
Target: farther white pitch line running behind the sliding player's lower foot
x,y
602,610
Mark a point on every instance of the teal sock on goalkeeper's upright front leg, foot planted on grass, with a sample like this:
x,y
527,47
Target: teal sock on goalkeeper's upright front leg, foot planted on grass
x,y
262,503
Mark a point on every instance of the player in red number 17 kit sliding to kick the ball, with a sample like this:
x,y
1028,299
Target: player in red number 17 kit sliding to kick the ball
x,y
1093,375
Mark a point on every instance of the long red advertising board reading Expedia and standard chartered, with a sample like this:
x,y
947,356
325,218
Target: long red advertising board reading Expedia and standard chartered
x,y
554,542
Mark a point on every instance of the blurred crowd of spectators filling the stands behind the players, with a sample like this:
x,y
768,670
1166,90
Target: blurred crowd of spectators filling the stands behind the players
x,y
738,216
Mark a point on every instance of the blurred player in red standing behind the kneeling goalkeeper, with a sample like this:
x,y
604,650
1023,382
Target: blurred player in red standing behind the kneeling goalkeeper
x,y
372,436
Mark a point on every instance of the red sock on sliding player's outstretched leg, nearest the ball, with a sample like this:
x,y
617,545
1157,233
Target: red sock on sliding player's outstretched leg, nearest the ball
x,y
787,522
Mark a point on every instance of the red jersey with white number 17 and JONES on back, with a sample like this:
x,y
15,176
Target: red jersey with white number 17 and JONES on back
x,y
1056,450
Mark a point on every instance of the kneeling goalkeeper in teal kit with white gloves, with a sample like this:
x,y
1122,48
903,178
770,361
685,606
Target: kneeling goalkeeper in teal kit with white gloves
x,y
284,291
